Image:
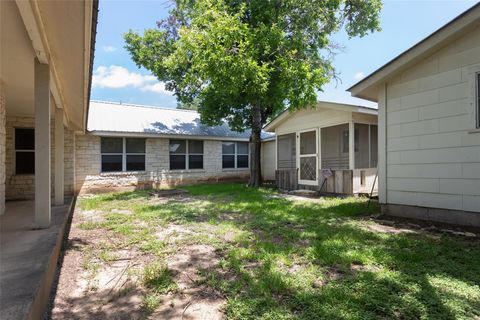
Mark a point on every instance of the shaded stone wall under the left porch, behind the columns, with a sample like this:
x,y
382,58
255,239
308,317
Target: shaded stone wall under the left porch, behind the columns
x,y
23,186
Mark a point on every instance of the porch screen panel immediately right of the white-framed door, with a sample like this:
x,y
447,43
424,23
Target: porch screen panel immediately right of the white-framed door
x,y
334,144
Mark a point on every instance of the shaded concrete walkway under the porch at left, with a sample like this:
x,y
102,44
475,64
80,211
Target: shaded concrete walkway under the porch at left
x,y
28,259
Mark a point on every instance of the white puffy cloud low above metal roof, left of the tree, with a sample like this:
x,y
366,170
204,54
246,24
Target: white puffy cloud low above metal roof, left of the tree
x,y
117,77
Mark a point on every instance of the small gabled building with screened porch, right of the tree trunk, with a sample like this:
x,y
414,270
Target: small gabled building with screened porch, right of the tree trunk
x,y
331,147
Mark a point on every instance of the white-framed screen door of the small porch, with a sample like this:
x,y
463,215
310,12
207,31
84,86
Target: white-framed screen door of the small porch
x,y
307,157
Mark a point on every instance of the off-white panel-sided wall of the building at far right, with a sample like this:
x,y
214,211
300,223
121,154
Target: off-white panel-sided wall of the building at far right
x,y
429,148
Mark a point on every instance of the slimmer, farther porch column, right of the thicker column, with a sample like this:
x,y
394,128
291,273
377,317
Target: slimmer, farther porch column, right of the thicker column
x,y
59,158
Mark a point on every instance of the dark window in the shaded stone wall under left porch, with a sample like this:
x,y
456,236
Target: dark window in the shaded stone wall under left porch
x,y
24,151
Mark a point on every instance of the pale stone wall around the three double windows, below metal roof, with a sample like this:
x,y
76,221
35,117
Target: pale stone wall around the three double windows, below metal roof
x,y
157,174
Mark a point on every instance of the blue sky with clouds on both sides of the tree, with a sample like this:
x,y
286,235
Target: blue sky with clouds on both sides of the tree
x,y
117,78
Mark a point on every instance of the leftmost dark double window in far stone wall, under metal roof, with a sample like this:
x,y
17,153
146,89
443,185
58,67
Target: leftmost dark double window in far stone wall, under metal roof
x,y
122,154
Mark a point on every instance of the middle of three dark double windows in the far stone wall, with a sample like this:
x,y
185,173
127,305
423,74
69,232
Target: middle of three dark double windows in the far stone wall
x,y
186,154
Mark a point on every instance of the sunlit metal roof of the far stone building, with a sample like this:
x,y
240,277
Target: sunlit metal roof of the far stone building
x,y
111,117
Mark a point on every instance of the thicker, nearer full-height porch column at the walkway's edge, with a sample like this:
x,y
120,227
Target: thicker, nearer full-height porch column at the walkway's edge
x,y
42,145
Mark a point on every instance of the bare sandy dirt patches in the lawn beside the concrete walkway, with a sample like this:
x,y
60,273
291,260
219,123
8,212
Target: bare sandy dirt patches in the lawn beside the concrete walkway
x,y
101,277
